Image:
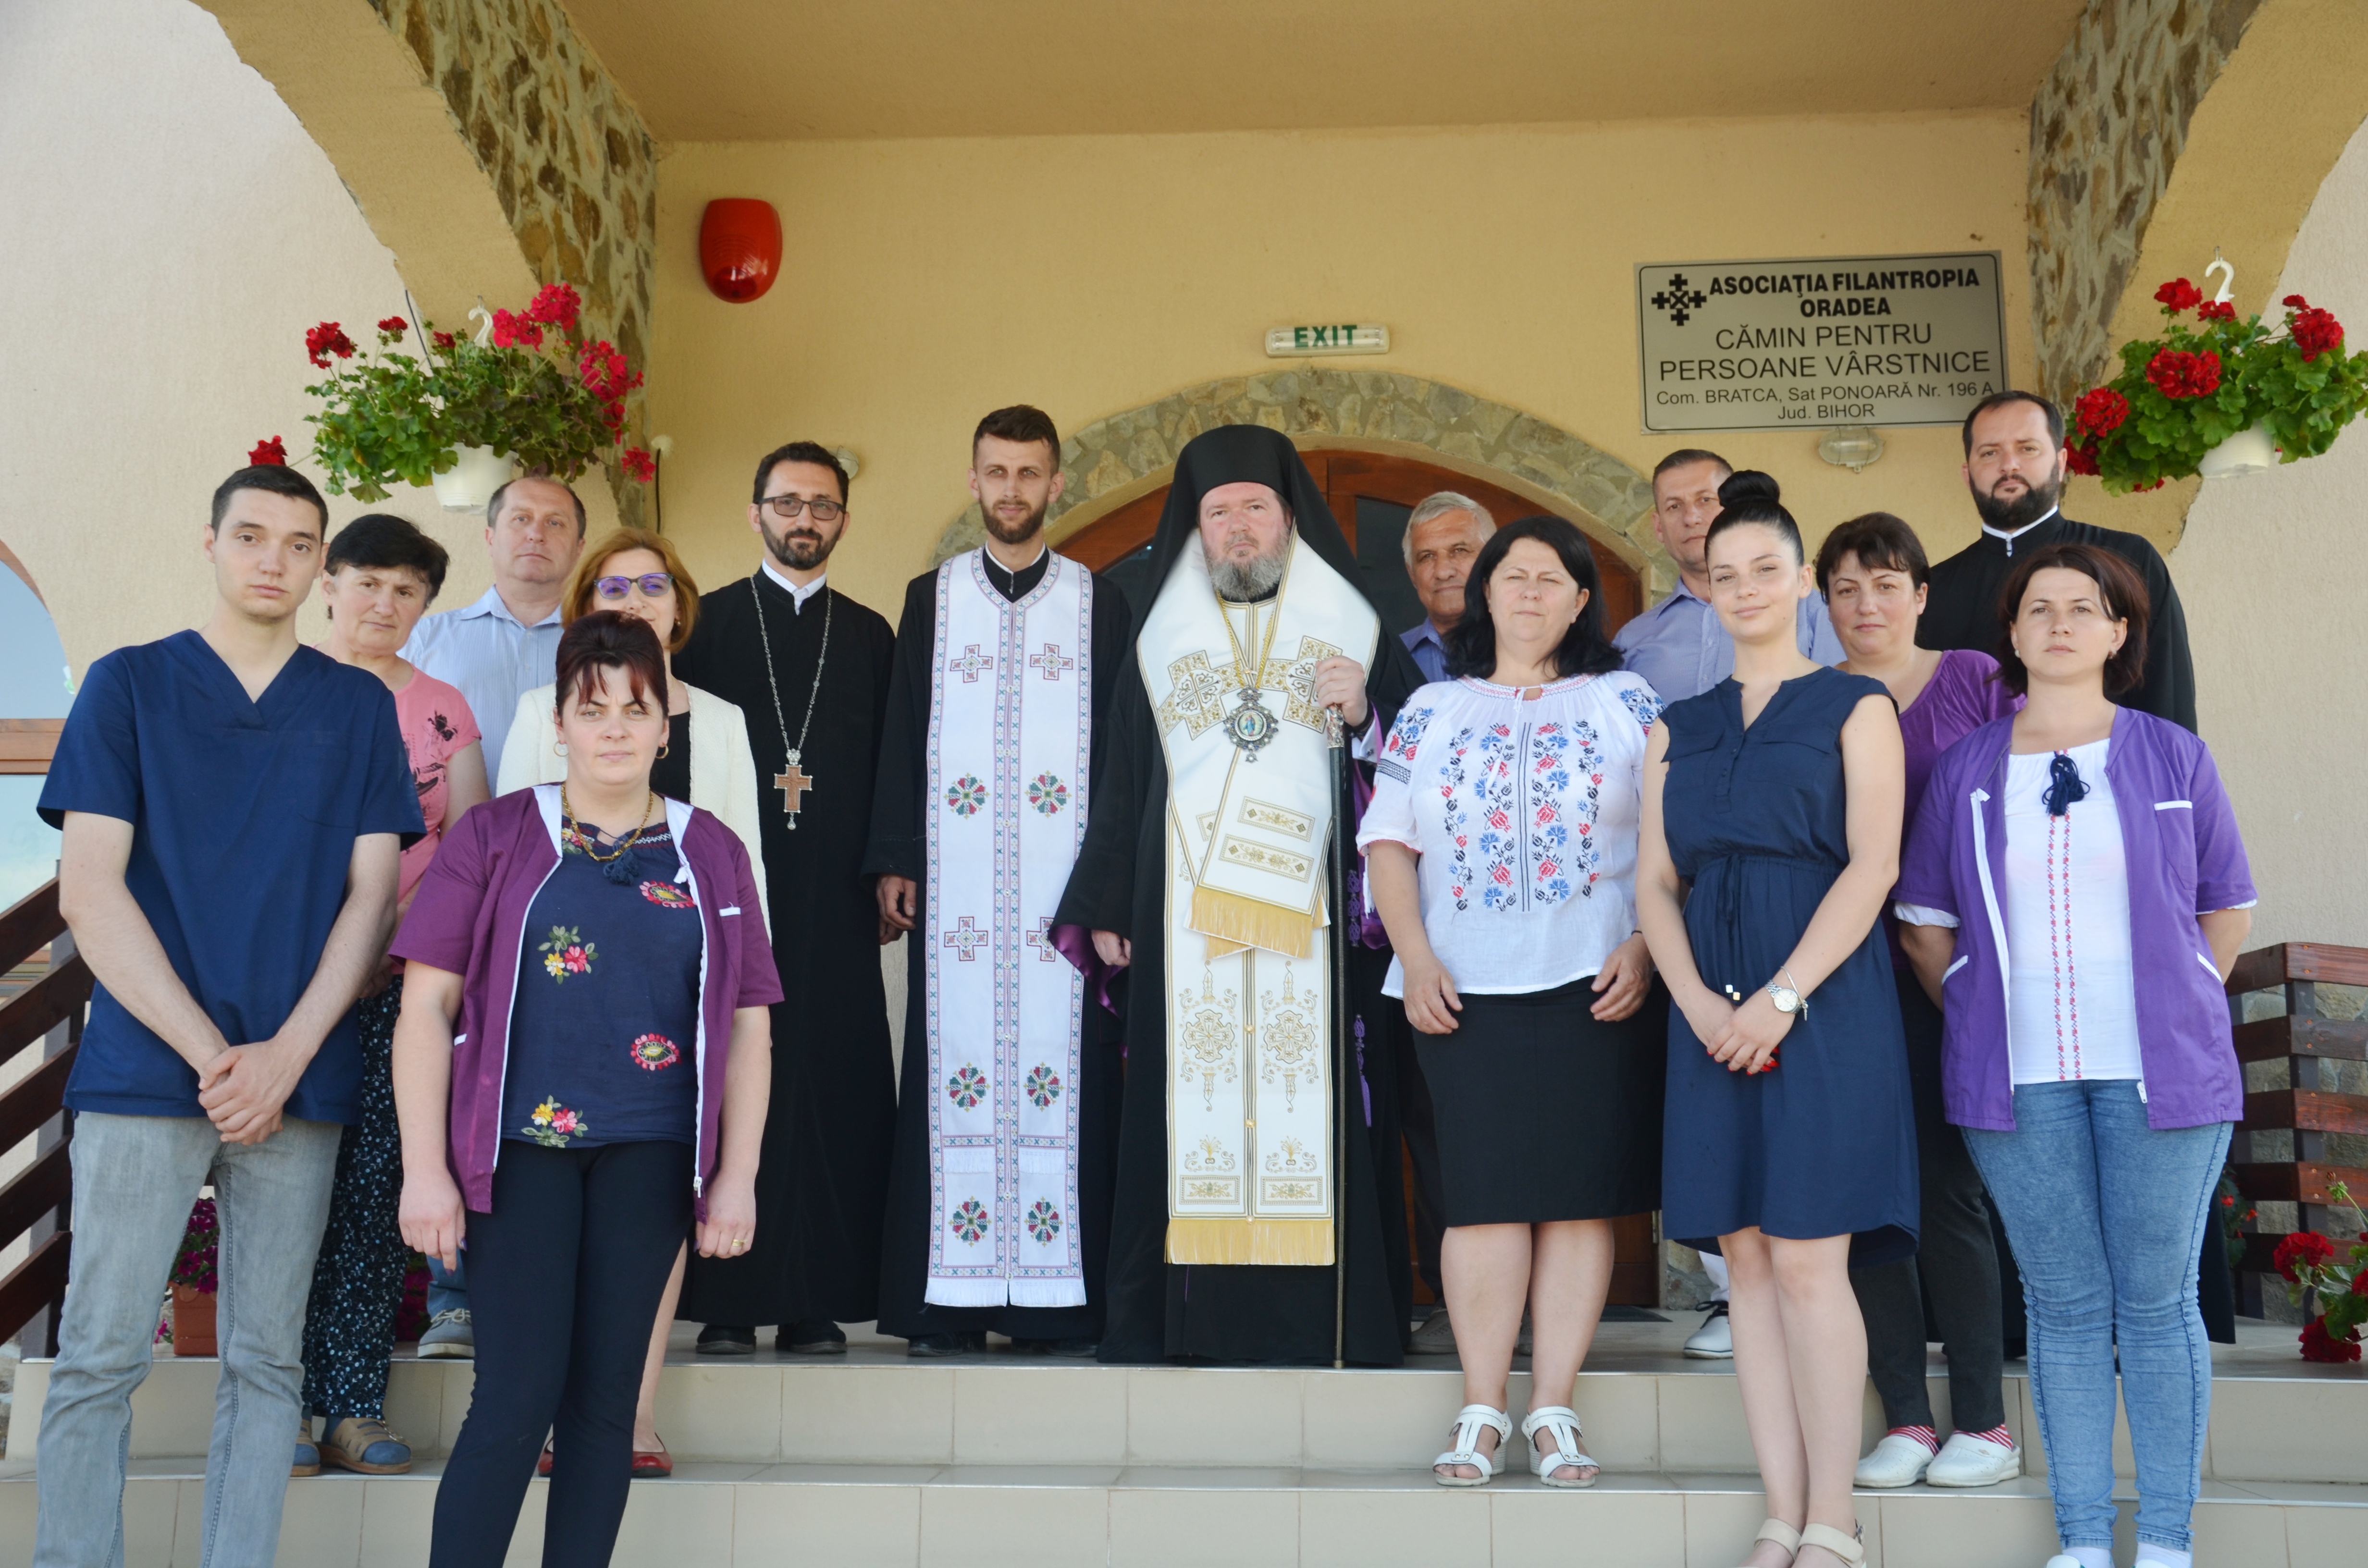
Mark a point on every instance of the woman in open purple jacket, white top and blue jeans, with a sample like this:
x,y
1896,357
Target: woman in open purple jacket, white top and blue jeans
x,y
2076,894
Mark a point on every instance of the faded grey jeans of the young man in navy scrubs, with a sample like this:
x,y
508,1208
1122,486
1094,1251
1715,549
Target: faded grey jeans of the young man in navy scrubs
x,y
134,1185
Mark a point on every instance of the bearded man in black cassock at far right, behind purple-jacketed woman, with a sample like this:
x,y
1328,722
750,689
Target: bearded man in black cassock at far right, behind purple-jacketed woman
x,y
2016,473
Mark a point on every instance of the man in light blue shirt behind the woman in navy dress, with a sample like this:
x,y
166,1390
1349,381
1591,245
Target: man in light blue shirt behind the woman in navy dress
x,y
1680,645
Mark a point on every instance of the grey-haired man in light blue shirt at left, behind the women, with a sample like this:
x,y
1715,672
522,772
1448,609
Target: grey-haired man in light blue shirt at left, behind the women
x,y
508,643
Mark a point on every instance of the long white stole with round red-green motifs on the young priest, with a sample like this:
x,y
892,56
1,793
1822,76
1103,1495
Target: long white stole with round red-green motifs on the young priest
x,y
1010,733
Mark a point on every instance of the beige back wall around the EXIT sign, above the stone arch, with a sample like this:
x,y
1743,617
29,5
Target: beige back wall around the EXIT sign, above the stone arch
x,y
932,281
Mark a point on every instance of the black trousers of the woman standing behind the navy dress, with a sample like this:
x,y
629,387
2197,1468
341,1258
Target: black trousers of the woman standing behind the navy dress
x,y
1955,1266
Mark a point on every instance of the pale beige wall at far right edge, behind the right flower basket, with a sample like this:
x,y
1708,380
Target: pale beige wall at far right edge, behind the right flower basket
x,y
2274,579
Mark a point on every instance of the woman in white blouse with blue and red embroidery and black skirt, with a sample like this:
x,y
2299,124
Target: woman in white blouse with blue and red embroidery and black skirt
x,y
1502,844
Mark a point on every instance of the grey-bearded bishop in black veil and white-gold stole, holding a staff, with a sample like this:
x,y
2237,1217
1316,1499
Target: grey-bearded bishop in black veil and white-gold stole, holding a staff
x,y
1206,870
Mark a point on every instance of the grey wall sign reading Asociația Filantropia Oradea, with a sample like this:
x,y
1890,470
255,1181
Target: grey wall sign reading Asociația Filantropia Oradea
x,y
1853,340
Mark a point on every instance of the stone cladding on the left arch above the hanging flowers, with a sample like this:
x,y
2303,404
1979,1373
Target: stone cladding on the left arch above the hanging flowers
x,y
565,150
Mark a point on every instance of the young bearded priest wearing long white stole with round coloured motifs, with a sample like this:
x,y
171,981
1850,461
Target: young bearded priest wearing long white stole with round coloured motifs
x,y
1008,1122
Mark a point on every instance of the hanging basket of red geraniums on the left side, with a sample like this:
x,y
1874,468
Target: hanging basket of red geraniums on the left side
x,y
527,390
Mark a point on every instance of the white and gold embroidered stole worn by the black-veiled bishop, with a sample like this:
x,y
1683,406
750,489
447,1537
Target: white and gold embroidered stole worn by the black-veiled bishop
x,y
1249,958
